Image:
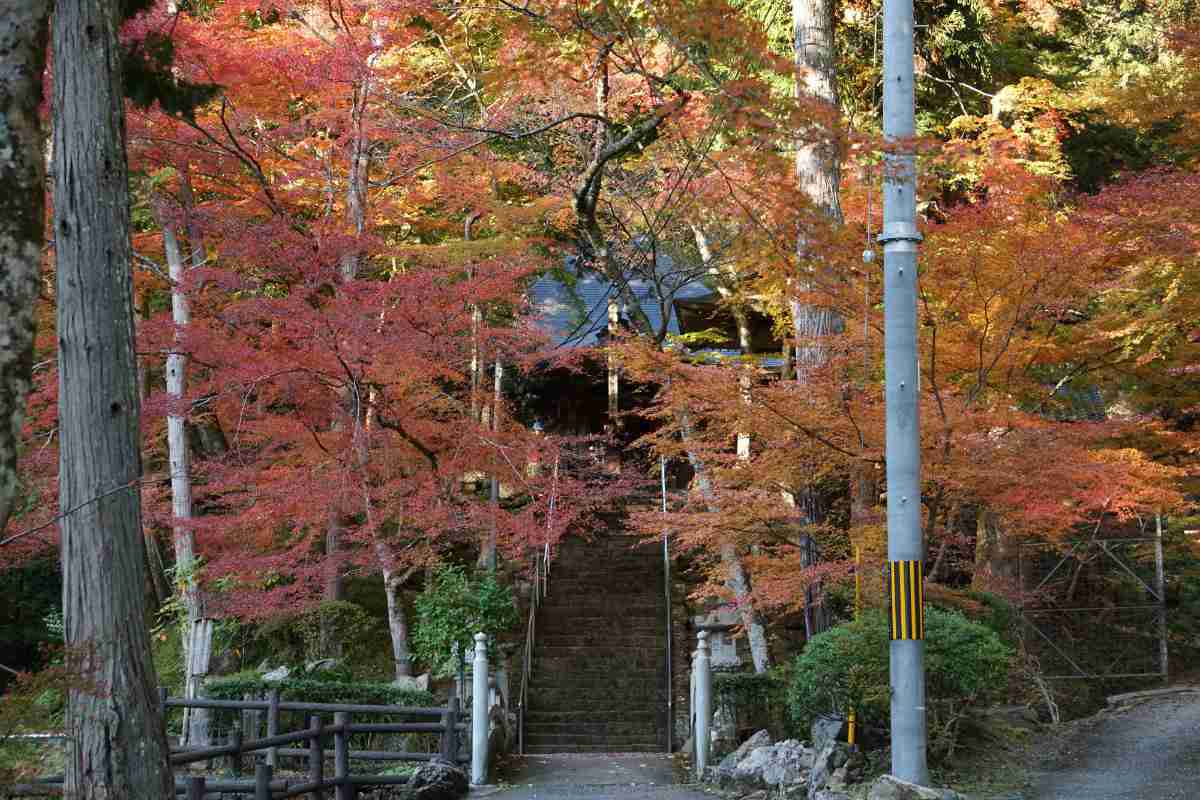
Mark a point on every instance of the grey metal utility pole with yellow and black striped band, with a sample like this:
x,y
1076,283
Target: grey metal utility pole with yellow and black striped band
x,y
901,240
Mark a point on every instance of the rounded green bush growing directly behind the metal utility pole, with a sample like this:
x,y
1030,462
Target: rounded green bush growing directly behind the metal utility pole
x,y
847,667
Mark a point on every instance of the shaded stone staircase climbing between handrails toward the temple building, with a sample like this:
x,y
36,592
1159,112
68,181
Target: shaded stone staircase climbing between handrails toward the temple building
x,y
599,665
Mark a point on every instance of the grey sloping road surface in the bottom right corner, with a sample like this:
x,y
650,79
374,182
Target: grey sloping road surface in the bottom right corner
x,y
1148,753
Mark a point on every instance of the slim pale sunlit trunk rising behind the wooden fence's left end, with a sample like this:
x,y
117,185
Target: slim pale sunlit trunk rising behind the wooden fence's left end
x,y
197,628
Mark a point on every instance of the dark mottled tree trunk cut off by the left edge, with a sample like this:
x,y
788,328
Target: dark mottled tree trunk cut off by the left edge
x,y
23,34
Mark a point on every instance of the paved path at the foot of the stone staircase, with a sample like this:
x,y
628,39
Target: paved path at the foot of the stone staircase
x,y
597,777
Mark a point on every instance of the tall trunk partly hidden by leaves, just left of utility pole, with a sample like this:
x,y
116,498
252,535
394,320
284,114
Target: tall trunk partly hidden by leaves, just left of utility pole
x,y
818,172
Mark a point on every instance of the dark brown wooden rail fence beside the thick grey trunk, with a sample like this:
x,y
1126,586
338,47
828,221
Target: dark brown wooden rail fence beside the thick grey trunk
x,y
266,786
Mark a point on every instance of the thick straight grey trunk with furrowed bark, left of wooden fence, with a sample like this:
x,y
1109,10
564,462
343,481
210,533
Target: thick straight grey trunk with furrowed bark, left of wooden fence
x,y
117,744
